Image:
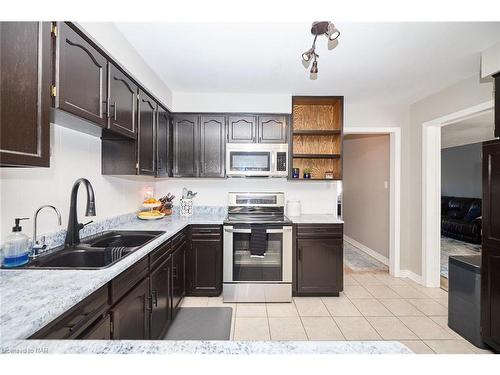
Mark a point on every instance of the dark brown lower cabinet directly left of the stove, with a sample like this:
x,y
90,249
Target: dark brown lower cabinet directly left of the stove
x,y
205,261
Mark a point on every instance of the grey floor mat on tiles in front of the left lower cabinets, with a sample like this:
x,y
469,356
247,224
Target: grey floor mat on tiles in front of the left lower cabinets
x,y
201,323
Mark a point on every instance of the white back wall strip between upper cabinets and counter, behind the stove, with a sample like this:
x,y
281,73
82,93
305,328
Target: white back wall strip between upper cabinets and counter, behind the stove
x,y
316,196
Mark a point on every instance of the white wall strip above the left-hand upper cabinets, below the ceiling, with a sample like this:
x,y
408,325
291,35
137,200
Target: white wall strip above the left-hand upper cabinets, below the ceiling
x,y
114,43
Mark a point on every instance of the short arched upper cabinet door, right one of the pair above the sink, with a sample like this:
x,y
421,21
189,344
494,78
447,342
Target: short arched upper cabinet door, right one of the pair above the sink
x,y
122,102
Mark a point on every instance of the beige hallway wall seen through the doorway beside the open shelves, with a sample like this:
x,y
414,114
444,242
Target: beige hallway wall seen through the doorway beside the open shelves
x,y
365,192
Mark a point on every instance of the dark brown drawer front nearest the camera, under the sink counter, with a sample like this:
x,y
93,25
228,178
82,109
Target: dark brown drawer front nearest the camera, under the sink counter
x,y
72,323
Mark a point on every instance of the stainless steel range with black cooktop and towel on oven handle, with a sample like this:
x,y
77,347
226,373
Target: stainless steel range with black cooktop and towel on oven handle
x,y
257,249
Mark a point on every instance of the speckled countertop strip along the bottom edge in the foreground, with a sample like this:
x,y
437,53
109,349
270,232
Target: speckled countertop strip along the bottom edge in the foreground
x,y
201,347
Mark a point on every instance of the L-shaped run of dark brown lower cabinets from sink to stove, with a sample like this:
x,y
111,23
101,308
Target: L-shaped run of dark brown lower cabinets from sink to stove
x,y
141,302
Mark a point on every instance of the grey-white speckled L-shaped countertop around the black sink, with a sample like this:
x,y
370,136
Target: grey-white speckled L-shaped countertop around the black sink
x,y
32,298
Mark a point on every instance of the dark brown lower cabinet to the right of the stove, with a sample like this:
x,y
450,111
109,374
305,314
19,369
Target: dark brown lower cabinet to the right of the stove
x,y
319,261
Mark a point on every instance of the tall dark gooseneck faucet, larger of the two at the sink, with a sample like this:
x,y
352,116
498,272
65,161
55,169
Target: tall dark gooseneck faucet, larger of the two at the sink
x,y
74,227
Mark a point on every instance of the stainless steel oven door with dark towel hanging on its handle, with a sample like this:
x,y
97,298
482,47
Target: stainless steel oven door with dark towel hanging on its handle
x,y
274,267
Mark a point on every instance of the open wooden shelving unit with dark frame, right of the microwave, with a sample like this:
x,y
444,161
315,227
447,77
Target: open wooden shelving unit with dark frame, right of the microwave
x,y
316,136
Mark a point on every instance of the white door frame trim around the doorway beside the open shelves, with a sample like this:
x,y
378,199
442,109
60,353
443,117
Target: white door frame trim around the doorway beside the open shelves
x,y
394,191
